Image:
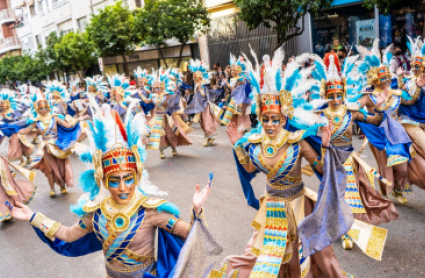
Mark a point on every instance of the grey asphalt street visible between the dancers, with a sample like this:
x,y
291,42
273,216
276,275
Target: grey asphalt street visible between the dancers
x,y
229,217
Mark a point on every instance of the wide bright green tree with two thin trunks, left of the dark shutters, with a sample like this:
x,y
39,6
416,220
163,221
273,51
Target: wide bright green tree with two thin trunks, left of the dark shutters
x,y
179,19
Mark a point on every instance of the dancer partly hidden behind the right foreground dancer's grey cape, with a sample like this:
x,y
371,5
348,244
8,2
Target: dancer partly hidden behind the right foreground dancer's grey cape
x,y
365,202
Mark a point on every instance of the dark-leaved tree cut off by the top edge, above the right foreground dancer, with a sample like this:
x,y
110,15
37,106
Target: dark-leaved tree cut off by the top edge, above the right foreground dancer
x,y
280,15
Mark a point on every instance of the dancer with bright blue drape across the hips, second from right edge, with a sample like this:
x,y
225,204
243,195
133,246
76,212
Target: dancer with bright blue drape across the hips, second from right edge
x,y
388,140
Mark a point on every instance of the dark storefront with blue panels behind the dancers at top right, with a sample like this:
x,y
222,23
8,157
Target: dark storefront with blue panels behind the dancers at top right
x,y
348,23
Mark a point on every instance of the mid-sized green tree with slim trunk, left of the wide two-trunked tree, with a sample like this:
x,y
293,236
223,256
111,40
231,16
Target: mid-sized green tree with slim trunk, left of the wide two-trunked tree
x,y
112,32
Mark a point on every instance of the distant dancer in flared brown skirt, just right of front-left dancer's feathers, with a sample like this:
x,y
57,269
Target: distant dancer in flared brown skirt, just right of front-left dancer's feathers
x,y
167,127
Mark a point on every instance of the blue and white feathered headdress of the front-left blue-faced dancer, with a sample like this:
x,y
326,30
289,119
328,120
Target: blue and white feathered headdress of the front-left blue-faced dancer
x,y
113,147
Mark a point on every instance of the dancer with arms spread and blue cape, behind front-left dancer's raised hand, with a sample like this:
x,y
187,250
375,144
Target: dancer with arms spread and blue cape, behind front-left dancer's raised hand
x,y
59,136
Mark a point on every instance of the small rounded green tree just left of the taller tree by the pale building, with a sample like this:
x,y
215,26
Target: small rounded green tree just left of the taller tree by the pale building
x,y
75,50
